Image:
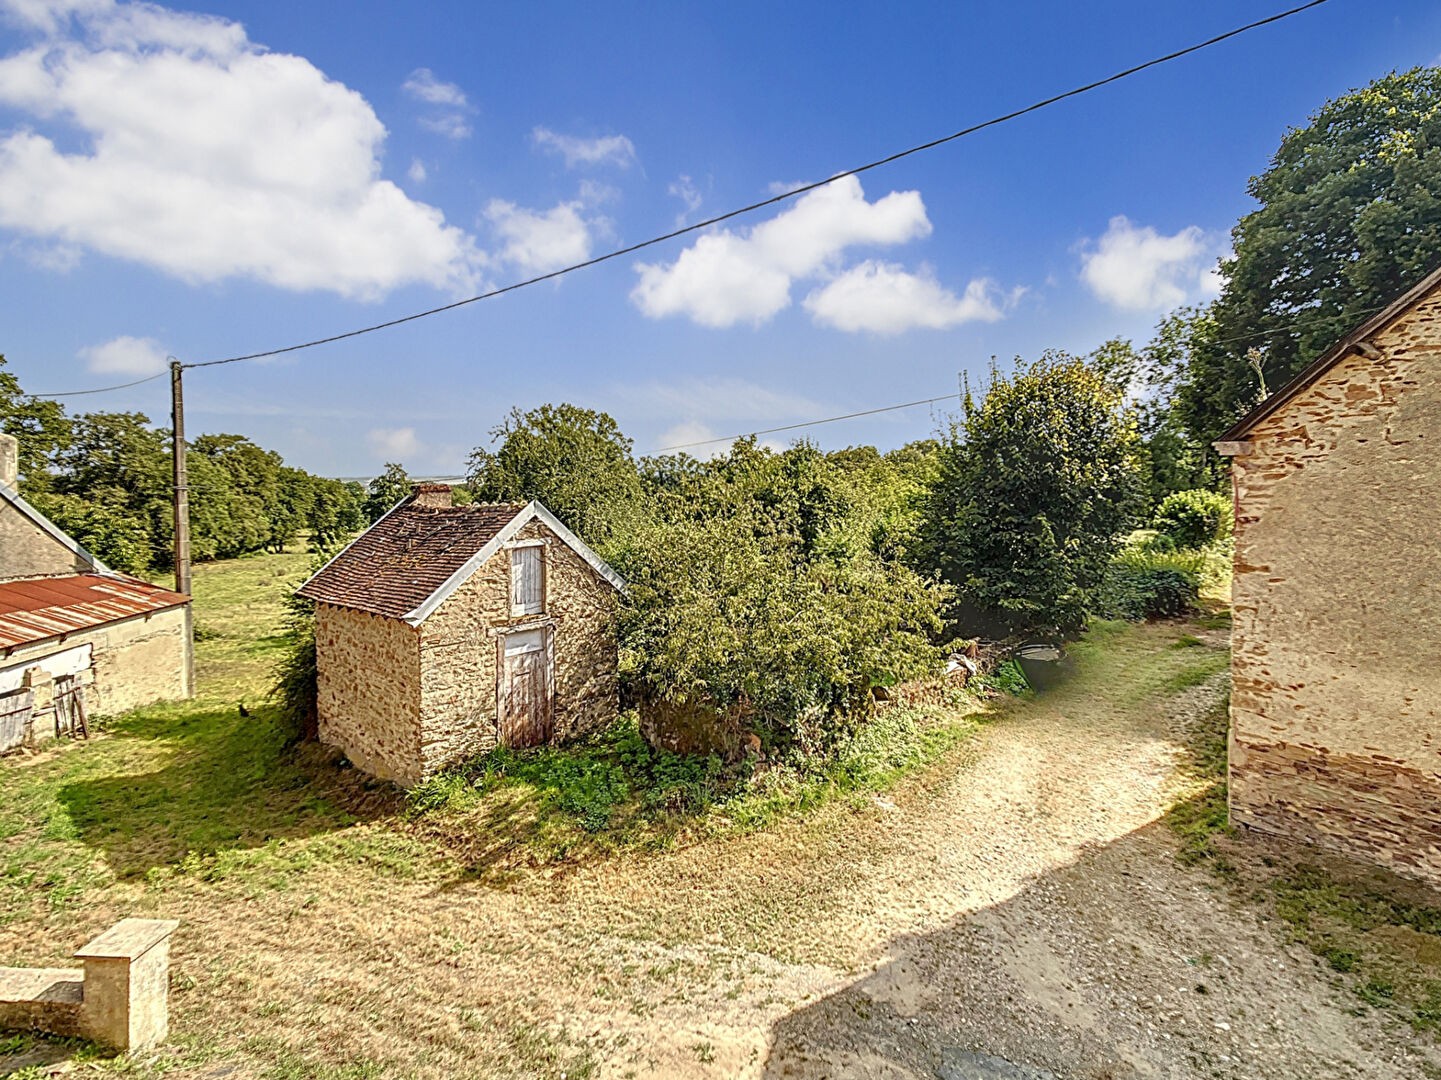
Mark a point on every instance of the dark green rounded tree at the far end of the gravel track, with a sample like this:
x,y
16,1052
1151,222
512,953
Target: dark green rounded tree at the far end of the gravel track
x,y
1038,485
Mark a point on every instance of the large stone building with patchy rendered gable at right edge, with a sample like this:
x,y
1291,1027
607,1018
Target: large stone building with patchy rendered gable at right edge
x,y
1337,645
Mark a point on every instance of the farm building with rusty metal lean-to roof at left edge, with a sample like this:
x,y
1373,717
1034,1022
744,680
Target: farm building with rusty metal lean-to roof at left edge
x,y
76,638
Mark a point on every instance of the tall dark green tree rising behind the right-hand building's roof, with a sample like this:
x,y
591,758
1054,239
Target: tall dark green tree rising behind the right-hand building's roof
x,y
1349,218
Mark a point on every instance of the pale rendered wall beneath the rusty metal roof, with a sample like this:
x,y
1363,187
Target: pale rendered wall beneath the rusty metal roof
x,y
135,663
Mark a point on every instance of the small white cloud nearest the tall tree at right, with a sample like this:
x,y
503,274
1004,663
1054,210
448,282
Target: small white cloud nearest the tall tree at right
x,y
1138,269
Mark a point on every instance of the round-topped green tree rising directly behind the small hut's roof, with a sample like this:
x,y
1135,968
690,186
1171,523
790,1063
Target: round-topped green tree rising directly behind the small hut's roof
x,y
574,461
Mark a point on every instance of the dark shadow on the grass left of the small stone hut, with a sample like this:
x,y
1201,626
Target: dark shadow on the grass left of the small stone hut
x,y
230,782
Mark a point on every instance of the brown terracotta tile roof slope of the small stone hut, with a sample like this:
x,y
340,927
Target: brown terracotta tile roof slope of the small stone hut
x,y
406,557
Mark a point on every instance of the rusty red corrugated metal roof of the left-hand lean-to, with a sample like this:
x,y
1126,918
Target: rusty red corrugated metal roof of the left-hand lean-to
x,y
38,609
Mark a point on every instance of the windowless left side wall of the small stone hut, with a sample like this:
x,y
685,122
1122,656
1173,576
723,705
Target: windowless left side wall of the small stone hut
x,y
370,691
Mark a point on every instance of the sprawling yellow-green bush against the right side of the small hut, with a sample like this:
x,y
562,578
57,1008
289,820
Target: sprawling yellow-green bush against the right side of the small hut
x,y
723,622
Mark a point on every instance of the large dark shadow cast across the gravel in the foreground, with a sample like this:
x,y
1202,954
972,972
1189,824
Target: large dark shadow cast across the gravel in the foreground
x,y
1120,965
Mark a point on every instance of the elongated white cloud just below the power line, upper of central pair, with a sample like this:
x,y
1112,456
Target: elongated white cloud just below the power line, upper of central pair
x,y
736,278
